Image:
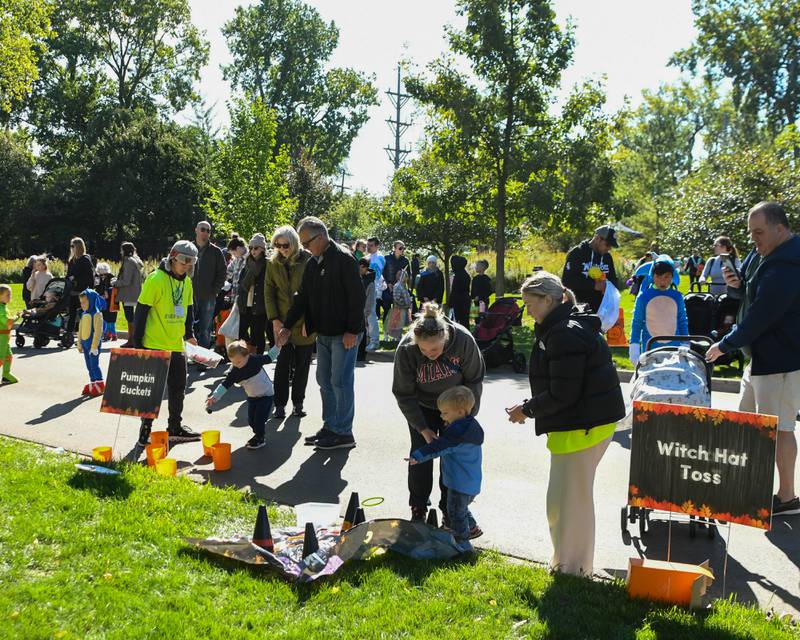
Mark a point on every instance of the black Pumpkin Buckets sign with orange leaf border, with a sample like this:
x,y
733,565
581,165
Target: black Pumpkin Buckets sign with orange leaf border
x,y
135,382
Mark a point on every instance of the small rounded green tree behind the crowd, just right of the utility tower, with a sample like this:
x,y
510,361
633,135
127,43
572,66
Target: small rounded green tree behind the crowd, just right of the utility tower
x,y
433,205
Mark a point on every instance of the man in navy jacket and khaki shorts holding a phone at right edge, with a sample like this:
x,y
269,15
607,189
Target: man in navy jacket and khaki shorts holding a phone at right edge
x,y
768,330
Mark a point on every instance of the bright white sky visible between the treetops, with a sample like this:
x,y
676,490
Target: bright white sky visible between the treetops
x,y
629,41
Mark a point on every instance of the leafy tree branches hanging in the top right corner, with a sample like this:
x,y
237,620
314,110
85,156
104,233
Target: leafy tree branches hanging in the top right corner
x,y
755,45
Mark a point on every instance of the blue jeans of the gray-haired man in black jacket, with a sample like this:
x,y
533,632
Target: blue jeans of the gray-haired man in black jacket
x,y
336,376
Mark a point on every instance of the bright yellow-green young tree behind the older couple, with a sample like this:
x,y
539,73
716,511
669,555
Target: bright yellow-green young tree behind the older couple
x,y
251,193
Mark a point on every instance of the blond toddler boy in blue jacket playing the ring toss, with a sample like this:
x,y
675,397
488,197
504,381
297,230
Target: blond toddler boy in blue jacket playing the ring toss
x,y
459,445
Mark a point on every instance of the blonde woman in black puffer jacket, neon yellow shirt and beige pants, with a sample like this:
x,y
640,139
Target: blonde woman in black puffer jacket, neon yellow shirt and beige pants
x,y
576,400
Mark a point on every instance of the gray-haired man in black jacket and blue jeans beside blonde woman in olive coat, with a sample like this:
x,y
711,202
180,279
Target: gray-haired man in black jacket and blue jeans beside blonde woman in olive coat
x,y
331,297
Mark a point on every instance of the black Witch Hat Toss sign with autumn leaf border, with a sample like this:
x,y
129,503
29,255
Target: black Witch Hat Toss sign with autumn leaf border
x,y
703,462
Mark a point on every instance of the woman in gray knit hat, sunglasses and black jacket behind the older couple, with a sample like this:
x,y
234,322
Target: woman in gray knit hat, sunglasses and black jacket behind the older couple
x,y
250,297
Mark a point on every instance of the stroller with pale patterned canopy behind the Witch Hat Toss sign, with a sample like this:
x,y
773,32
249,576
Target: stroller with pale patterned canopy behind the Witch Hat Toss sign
x,y
675,374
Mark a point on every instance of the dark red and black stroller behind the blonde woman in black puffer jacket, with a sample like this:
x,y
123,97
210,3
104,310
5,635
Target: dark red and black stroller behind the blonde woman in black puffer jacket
x,y
493,334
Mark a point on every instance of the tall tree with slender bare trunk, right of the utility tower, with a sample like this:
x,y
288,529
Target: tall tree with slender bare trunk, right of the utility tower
x,y
516,53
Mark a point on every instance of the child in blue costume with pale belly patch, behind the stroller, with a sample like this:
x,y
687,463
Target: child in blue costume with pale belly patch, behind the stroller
x,y
659,309
